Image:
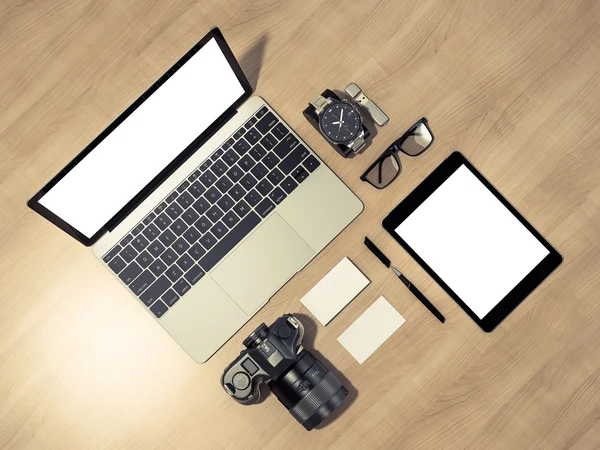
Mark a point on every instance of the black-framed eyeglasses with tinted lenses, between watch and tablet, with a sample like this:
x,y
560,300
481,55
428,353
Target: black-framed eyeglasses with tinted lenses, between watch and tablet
x,y
387,167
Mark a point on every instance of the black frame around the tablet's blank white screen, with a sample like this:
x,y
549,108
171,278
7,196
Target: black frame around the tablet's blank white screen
x,y
531,281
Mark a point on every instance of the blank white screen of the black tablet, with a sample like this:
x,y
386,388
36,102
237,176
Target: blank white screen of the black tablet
x,y
472,241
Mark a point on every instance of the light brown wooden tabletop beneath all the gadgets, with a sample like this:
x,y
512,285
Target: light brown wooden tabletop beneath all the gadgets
x,y
515,85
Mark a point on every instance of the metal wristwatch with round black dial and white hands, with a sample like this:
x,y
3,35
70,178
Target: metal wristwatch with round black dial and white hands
x,y
340,122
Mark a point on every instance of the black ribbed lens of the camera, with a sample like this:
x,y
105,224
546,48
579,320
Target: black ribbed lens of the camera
x,y
309,390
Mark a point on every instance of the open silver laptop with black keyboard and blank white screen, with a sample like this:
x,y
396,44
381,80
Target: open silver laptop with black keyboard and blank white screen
x,y
200,199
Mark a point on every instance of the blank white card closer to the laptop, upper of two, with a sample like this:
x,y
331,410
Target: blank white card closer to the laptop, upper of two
x,y
335,290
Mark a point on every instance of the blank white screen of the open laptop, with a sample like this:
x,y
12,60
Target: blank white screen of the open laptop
x,y
136,151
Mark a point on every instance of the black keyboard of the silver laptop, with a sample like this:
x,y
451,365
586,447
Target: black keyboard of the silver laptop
x,y
208,214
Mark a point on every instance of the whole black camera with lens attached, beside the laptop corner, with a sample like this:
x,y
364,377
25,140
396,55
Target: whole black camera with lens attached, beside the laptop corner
x,y
274,355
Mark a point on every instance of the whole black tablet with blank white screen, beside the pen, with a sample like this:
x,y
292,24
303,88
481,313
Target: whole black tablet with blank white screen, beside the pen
x,y
474,243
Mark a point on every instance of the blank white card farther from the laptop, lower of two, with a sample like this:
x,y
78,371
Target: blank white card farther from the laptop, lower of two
x,y
371,329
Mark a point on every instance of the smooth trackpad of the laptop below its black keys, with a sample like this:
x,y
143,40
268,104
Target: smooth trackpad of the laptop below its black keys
x,y
262,264
